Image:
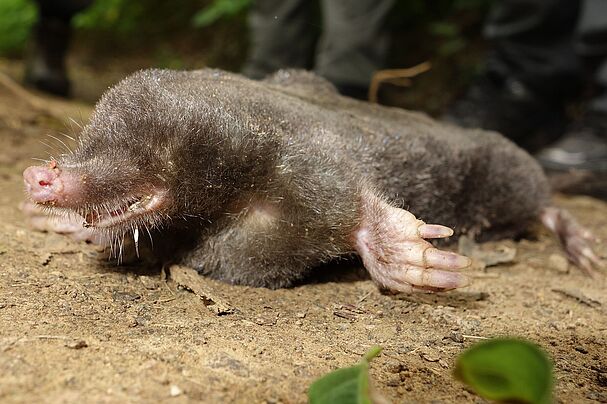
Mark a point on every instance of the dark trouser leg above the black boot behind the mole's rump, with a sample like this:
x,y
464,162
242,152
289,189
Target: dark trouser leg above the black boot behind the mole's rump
x,y
534,43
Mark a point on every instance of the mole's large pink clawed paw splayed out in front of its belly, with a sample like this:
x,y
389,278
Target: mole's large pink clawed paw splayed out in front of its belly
x,y
392,245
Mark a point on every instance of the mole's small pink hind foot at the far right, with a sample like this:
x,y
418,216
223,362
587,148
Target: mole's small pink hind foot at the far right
x,y
575,239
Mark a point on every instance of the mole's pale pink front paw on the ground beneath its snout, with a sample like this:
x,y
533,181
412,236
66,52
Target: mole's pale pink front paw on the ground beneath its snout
x,y
39,219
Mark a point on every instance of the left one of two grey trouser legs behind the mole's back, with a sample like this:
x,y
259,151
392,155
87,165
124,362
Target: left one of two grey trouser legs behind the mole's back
x,y
282,35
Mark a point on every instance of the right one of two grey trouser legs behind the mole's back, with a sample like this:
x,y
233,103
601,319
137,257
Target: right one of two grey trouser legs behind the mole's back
x,y
354,43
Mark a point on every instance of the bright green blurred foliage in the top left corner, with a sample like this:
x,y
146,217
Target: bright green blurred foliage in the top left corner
x,y
16,20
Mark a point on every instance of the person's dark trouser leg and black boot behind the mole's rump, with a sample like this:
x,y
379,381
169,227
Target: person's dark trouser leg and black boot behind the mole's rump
x,y
530,73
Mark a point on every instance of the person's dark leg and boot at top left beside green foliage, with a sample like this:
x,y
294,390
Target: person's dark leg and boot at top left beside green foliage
x,y
46,69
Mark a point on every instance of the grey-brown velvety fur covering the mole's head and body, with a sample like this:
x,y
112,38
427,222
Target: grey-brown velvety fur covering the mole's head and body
x,y
270,176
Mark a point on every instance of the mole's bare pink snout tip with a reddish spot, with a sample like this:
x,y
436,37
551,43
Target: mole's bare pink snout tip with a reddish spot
x,y
51,185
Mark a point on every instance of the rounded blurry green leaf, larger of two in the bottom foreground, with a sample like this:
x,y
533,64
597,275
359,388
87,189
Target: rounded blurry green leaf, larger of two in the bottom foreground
x,y
507,370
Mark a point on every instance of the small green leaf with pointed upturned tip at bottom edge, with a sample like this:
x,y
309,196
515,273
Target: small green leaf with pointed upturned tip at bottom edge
x,y
344,386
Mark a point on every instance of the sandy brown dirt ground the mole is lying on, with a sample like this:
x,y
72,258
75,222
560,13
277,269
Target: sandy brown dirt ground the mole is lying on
x,y
75,328
